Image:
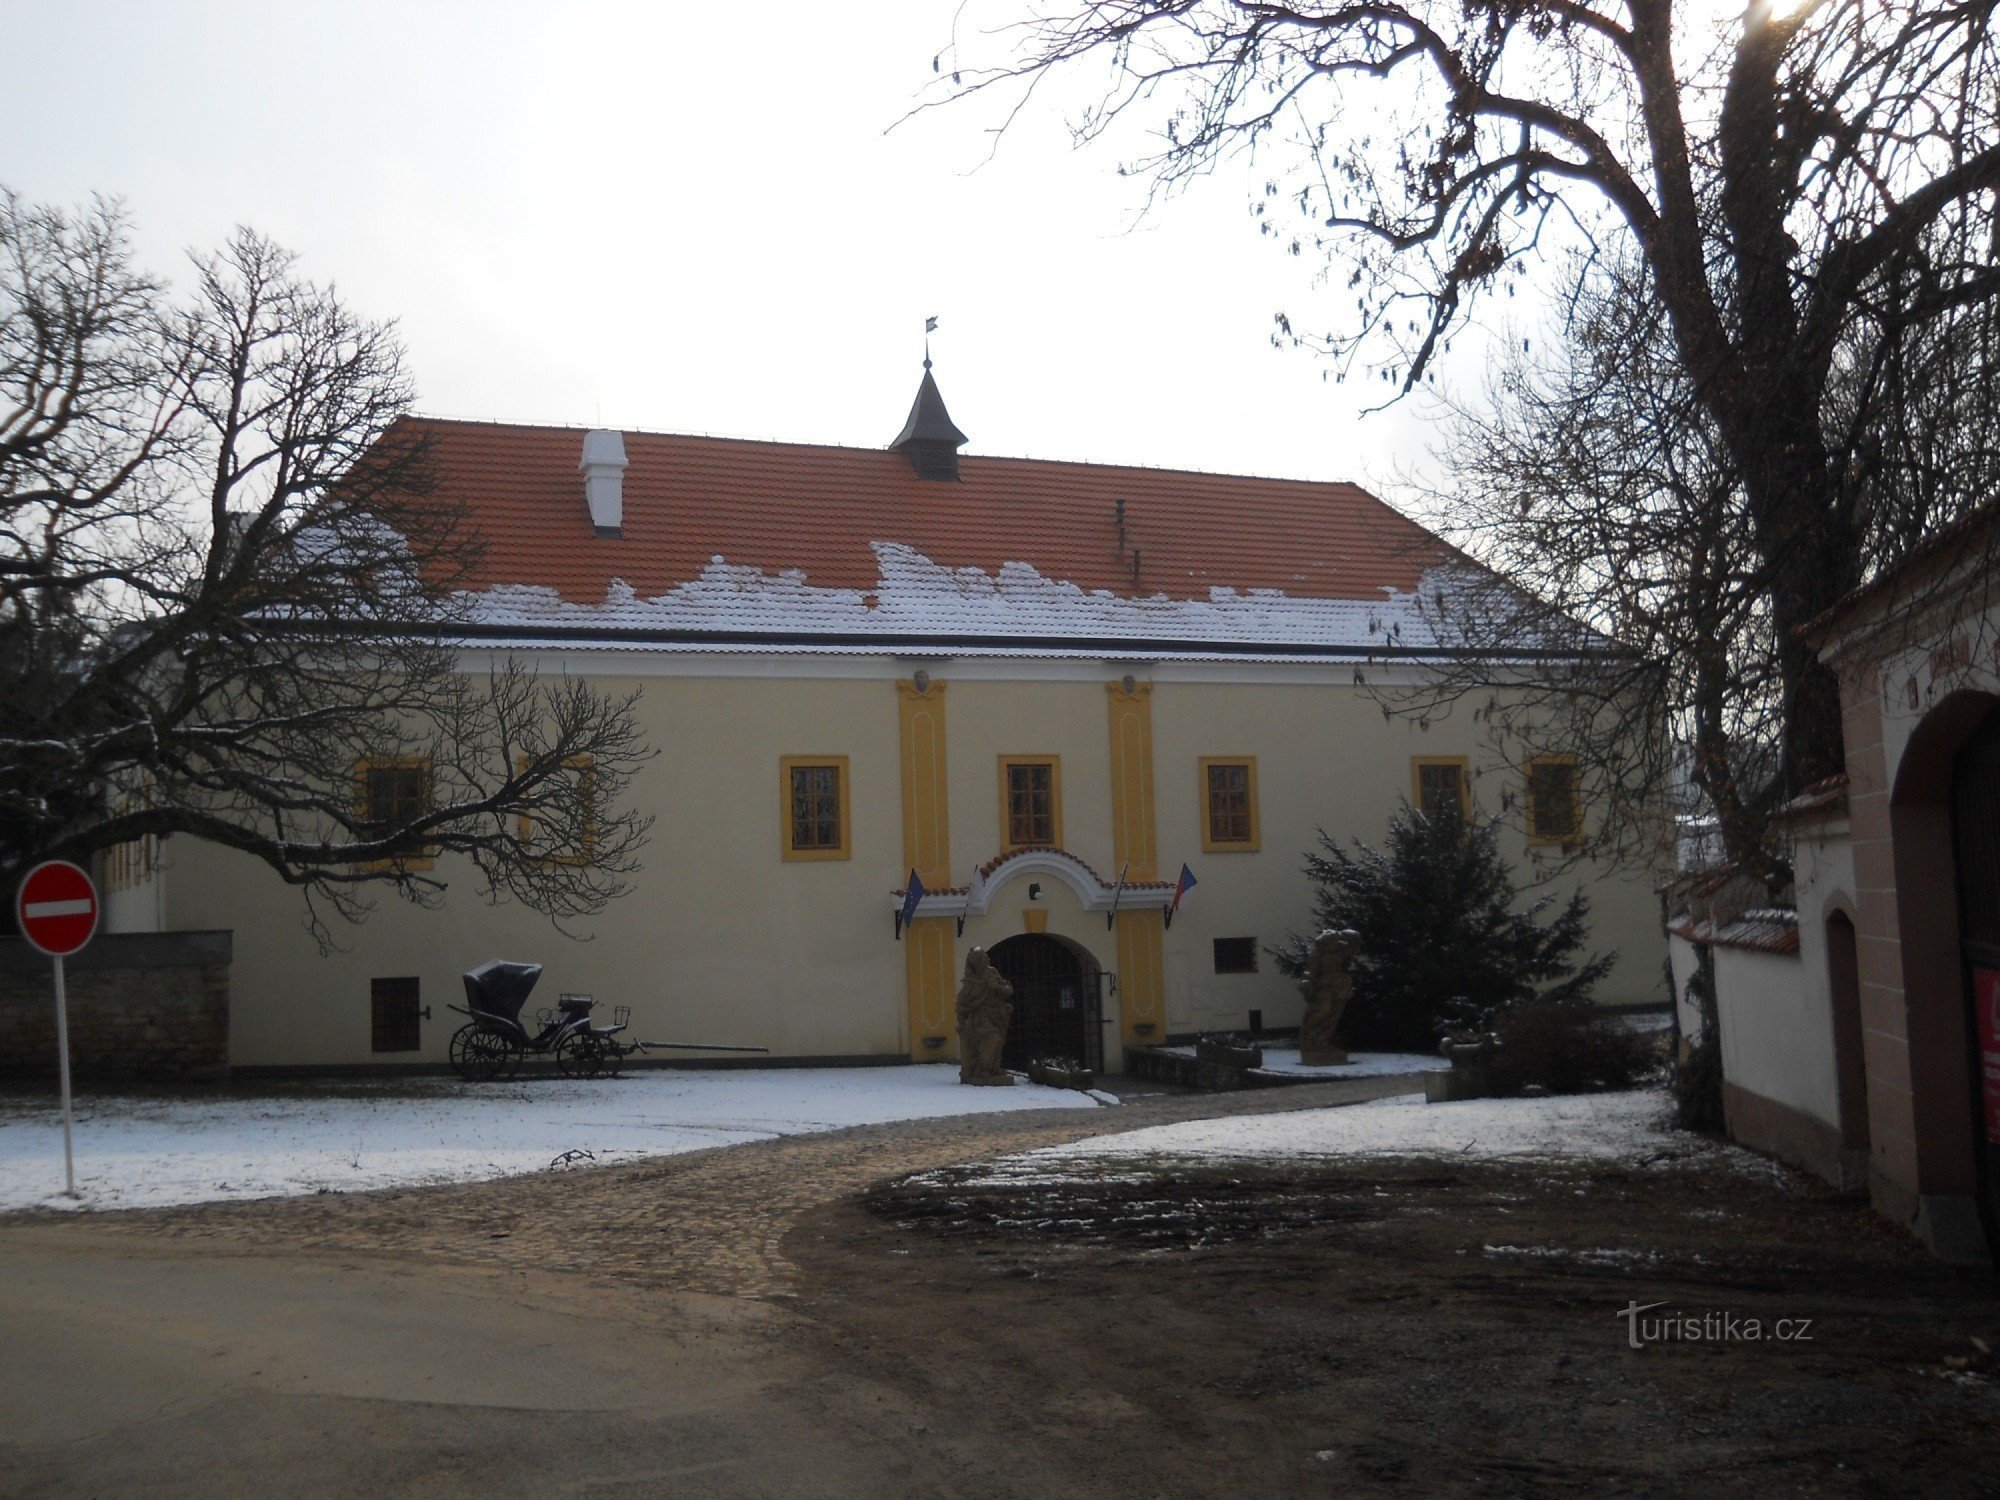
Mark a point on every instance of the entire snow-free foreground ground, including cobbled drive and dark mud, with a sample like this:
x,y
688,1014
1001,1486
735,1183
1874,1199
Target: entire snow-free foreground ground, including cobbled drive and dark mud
x,y
803,1319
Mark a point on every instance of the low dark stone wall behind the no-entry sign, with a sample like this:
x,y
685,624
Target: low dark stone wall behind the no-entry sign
x,y
143,1007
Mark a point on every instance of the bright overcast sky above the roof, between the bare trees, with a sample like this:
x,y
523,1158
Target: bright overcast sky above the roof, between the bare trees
x,y
693,219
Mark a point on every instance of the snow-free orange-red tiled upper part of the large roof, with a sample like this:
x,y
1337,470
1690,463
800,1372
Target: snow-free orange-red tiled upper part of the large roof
x,y
795,507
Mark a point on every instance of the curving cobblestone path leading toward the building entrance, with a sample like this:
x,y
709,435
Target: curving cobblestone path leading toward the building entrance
x,y
703,1221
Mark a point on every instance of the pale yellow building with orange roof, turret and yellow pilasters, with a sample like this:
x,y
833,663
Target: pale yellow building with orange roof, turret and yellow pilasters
x,y
1045,689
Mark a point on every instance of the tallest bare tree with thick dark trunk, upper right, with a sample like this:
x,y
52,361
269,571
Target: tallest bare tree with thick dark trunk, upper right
x,y
1809,193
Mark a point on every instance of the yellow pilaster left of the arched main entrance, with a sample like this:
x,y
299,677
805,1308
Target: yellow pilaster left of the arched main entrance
x,y
927,847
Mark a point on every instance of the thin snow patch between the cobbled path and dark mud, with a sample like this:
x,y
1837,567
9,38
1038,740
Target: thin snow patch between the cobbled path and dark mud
x,y
1575,1127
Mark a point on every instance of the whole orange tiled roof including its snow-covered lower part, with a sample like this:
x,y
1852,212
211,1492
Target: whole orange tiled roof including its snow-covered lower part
x,y
743,541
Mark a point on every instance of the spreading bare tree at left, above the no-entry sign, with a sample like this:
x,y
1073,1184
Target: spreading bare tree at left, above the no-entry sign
x,y
229,593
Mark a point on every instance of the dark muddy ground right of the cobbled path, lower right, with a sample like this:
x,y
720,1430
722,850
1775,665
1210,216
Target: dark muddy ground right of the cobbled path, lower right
x,y
1421,1329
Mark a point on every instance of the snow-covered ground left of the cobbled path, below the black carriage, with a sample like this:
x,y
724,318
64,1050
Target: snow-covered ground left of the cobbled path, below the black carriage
x,y
137,1153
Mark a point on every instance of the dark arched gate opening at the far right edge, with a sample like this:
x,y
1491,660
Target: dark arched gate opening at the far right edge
x,y
1977,859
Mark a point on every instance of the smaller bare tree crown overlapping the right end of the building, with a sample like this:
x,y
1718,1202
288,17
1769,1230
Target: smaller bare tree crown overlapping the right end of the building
x,y
1601,493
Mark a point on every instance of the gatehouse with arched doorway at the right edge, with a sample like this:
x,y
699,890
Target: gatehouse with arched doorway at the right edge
x,y
1911,935
